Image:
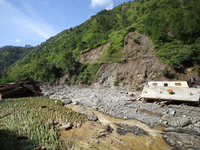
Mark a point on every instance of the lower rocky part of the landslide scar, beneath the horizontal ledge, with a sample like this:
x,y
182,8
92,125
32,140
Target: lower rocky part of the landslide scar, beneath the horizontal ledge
x,y
128,72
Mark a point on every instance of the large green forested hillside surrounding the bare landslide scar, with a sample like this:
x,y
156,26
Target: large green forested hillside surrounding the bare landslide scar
x,y
172,25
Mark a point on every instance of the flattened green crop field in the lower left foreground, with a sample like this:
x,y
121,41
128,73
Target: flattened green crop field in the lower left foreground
x,y
25,125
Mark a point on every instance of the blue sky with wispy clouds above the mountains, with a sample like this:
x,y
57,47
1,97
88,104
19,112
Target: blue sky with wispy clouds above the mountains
x,y
32,22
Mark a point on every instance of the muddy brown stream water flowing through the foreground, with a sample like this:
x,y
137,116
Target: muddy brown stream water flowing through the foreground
x,y
152,140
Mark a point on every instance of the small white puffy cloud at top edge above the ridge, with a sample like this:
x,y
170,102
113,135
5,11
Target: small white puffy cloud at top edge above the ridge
x,y
108,4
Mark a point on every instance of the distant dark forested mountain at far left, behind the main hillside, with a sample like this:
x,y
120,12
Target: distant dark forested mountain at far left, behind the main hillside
x,y
10,54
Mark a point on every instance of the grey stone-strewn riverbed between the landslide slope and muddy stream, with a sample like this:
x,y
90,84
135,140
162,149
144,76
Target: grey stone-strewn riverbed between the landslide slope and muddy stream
x,y
181,122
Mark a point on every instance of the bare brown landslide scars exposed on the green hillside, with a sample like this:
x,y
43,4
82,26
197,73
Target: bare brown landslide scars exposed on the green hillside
x,y
139,63
